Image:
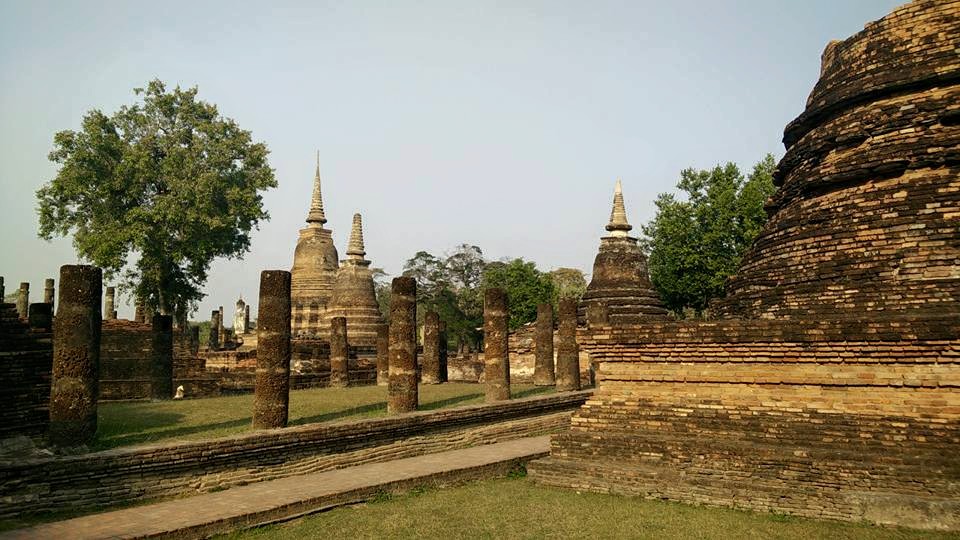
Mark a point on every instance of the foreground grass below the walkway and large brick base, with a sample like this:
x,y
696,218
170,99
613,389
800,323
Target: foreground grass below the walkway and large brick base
x,y
518,508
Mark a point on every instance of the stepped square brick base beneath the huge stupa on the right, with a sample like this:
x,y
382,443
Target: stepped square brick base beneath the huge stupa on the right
x,y
844,419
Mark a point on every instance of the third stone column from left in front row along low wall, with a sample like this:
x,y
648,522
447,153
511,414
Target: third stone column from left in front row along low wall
x,y
402,388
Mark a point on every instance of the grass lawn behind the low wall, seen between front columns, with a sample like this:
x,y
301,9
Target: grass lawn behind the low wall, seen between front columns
x,y
131,423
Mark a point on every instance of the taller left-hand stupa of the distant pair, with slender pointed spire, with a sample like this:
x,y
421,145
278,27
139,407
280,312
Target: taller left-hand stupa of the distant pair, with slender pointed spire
x,y
315,264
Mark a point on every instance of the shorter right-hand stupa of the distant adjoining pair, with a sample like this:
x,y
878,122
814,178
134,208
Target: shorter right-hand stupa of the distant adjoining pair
x,y
353,294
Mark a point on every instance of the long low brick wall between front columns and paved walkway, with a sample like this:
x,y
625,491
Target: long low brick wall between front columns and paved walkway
x,y
130,474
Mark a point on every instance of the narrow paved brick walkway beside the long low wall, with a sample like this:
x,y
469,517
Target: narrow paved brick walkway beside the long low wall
x,y
287,498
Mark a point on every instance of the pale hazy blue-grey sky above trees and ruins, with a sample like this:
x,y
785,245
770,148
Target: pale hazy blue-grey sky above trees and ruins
x,y
499,124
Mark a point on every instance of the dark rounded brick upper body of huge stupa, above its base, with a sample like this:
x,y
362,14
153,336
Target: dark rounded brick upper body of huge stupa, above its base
x,y
865,220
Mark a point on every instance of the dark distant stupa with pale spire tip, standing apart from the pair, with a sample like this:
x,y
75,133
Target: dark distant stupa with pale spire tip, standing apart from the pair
x,y
620,279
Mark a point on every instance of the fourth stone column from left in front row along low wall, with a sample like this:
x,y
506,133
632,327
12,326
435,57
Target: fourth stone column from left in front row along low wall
x,y
496,362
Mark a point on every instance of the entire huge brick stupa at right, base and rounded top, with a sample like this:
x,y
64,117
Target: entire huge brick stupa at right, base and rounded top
x,y
830,385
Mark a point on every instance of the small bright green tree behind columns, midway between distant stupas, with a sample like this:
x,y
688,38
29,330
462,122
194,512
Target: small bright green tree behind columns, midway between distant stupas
x,y
525,285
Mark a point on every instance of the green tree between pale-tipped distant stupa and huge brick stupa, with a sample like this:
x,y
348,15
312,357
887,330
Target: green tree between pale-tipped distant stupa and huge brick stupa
x,y
696,242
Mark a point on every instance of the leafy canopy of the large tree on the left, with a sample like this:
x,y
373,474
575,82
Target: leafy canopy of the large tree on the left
x,y
156,191
